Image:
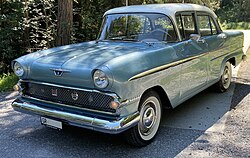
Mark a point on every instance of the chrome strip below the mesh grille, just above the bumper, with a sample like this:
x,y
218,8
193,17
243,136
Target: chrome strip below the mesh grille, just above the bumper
x,y
65,105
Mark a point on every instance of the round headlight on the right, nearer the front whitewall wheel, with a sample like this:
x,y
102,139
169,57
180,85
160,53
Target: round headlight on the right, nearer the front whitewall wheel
x,y
100,79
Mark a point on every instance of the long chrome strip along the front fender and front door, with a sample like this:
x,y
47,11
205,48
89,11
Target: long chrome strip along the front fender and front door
x,y
156,69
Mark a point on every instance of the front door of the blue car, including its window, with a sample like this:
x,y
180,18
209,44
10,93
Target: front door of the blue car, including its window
x,y
194,54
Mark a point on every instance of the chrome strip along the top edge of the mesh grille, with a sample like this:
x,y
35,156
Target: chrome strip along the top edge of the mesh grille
x,y
74,88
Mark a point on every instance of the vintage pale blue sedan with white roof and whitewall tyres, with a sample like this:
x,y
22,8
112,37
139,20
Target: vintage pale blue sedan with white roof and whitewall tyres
x,y
145,59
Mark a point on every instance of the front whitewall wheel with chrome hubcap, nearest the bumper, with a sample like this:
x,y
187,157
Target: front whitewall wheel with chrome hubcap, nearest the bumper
x,y
150,116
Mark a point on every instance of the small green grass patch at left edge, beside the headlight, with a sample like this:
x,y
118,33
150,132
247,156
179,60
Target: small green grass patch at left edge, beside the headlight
x,y
7,81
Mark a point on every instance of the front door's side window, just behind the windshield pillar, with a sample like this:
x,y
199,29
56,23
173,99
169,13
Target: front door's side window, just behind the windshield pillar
x,y
186,25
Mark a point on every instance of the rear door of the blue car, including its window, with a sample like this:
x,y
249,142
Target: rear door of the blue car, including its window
x,y
211,33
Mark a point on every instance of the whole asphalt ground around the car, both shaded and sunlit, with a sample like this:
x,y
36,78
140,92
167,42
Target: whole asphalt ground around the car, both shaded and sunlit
x,y
219,131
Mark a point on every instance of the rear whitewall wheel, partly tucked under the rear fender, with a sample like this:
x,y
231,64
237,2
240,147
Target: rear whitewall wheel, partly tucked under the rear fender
x,y
224,83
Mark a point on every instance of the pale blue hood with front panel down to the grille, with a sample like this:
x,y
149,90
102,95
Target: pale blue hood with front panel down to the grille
x,y
77,61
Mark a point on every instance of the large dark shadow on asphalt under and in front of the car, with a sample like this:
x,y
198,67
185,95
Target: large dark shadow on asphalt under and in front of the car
x,y
179,129
